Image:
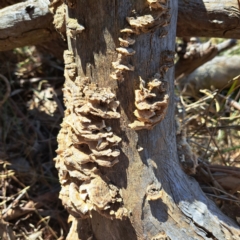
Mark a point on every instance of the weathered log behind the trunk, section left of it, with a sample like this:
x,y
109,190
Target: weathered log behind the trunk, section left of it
x,y
25,23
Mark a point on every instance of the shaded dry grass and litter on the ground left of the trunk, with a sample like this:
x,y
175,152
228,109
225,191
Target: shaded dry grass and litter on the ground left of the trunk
x,y
31,113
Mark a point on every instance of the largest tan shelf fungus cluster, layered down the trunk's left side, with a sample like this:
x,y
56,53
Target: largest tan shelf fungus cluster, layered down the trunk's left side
x,y
86,143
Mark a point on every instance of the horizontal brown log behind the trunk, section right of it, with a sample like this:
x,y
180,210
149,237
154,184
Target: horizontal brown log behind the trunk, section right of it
x,y
208,18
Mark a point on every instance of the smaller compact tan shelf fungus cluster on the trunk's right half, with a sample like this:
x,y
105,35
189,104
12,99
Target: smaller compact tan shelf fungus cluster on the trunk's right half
x,y
151,104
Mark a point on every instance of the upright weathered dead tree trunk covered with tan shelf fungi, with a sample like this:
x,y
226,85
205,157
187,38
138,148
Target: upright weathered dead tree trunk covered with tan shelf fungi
x,y
118,165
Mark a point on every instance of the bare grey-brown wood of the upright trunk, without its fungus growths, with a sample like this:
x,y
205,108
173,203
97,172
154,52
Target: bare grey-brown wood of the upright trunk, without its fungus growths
x,y
183,212
